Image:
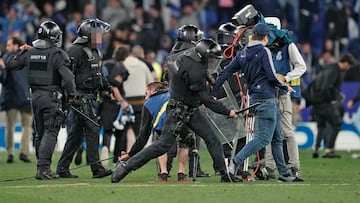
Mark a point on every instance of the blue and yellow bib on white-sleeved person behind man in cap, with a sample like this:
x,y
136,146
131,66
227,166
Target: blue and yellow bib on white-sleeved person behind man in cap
x,y
283,66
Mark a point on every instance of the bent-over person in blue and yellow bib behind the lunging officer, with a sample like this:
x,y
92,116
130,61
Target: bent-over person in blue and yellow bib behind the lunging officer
x,y
153,118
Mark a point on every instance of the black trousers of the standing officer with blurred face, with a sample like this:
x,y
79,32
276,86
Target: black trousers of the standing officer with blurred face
x,y
81,127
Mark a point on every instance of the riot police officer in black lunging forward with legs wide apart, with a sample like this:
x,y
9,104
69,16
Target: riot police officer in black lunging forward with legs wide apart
x,y
187,92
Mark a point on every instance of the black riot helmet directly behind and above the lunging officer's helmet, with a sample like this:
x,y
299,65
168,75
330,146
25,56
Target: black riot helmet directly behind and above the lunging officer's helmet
x,y
189,33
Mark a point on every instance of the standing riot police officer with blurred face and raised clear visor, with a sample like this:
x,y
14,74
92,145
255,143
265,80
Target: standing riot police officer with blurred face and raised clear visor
x,y
86,60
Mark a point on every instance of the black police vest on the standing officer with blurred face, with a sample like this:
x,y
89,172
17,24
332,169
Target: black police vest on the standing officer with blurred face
x,y
90,76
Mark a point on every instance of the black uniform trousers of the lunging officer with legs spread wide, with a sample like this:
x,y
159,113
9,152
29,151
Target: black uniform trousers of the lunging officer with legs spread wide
x,y
197,123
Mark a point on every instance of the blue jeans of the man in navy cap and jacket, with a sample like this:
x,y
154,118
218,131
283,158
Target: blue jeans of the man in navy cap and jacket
x,y
269,130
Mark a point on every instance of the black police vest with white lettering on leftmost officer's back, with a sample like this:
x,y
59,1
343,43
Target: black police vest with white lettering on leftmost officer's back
x,y
41,68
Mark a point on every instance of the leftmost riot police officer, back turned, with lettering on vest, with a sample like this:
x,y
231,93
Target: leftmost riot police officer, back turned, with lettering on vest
x,y
48,69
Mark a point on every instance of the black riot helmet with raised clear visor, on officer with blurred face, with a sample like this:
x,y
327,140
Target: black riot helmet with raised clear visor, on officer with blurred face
x,y
88,27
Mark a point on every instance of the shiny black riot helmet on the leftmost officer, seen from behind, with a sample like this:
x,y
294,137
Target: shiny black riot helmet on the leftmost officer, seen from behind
x,y
50,31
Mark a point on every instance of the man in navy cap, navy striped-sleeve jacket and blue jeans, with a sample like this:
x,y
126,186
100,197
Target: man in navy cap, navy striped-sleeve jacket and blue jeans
x,y
255,61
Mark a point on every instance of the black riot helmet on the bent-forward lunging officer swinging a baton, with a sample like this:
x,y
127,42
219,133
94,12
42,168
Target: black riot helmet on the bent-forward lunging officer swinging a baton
x,y
204,50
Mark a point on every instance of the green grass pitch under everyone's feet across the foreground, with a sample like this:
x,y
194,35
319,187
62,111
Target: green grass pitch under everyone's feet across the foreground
x,y
326,180
